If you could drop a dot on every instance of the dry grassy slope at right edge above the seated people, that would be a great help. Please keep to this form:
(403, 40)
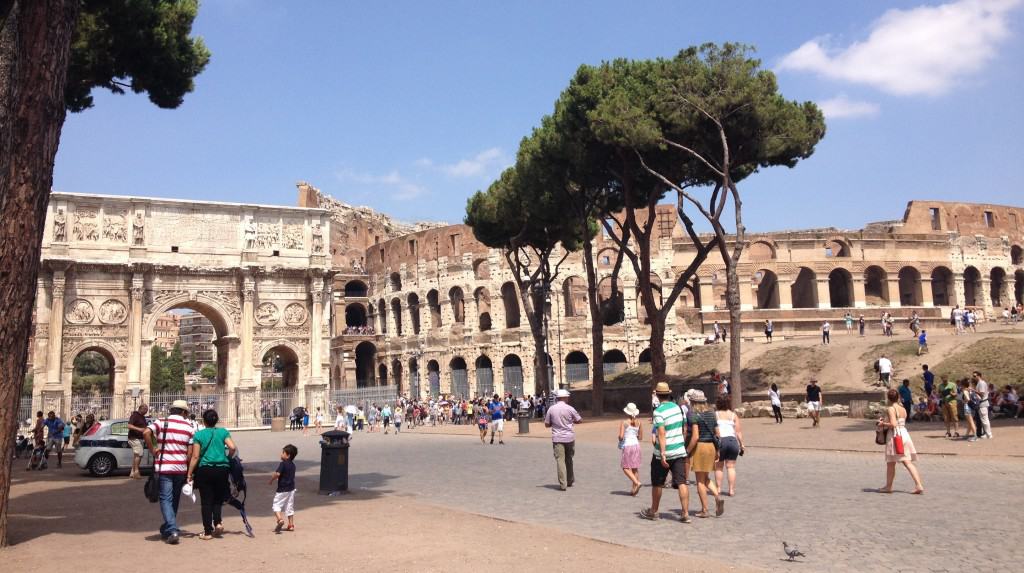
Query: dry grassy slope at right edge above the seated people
(1000, 361)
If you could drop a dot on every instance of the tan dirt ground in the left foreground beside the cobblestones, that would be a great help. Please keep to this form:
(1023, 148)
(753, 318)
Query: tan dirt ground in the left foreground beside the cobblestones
(62, 514)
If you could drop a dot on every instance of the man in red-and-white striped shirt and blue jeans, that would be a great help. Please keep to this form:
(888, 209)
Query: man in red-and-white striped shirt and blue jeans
(170, 440)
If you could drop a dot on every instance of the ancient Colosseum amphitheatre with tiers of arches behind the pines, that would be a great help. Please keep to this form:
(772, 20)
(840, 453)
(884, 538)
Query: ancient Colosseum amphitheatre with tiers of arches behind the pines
(433, 311)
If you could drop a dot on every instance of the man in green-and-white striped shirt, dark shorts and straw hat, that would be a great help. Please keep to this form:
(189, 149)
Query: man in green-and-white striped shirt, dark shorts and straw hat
(670, 454)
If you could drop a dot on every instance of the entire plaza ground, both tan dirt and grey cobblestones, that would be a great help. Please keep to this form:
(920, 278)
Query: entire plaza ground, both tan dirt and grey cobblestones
(429, 496)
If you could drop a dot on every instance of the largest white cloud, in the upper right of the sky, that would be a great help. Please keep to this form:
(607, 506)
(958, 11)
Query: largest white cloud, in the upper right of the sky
(923, 51)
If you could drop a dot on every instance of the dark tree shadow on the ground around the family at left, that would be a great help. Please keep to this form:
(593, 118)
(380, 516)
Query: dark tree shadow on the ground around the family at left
(69, 502)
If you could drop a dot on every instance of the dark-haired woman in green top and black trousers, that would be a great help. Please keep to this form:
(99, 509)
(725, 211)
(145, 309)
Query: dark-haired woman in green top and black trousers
(212, 450)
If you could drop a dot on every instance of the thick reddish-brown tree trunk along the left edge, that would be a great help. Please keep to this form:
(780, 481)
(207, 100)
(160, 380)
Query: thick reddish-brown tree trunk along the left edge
(35, 48)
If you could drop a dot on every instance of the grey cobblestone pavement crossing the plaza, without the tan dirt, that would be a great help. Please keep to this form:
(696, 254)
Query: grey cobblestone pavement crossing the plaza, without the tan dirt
(823, 502)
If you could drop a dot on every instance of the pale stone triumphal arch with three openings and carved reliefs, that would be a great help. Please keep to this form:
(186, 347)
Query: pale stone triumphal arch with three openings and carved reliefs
(113, 266)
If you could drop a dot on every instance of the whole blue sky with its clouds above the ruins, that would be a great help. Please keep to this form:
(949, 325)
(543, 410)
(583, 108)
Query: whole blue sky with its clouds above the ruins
(411, 107)
